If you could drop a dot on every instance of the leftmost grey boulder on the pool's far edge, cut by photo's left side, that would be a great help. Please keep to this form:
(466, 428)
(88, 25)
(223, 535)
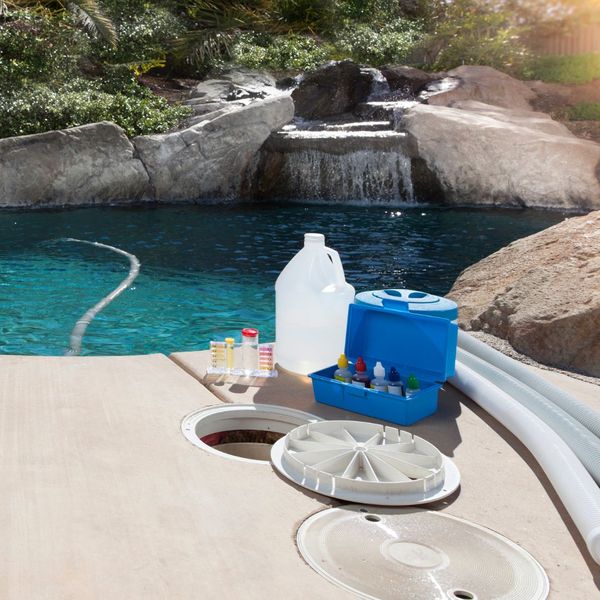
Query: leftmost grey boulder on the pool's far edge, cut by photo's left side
(91, 164)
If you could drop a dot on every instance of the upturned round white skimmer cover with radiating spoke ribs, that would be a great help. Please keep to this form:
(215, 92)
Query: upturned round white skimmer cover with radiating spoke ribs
(365, 462)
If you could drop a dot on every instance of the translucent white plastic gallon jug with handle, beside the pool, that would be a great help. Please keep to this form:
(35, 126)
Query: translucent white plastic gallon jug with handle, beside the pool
(311, 308)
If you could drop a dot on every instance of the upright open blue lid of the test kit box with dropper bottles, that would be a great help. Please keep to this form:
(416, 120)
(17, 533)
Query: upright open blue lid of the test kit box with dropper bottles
(413, 343)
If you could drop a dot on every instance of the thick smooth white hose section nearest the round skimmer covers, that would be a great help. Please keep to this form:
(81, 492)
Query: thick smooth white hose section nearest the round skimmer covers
(573, 484)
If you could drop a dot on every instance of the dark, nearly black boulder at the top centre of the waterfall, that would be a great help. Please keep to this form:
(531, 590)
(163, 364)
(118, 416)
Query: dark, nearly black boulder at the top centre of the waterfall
(331, 90)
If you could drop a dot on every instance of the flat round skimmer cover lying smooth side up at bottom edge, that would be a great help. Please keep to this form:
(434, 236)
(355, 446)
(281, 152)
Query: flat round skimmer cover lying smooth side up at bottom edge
(408, 553)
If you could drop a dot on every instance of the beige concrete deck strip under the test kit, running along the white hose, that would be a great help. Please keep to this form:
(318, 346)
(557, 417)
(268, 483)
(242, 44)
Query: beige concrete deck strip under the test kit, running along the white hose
(502, 487)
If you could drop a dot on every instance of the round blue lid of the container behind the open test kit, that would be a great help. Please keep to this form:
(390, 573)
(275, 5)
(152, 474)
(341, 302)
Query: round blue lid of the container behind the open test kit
(413, 301)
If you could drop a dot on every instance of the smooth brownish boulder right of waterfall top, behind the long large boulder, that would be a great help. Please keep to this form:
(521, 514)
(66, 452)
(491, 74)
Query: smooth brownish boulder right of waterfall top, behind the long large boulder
(483, 84)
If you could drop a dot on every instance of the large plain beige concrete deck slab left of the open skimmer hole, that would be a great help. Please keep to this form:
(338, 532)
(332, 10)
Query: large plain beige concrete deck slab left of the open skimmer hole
(102, 498)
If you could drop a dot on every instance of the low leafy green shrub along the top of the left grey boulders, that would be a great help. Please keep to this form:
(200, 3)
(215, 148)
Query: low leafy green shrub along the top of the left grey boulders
(38, 107)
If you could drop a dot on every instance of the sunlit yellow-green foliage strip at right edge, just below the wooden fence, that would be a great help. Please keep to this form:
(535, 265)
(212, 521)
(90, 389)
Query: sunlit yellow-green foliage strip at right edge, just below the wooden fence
(578, 68)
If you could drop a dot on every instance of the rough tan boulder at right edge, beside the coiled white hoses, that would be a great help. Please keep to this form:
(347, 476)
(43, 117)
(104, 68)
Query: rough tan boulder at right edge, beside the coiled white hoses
(542, 294)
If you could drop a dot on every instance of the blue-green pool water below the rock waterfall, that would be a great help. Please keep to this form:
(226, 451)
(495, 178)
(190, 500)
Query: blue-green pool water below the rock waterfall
(208, 271)
